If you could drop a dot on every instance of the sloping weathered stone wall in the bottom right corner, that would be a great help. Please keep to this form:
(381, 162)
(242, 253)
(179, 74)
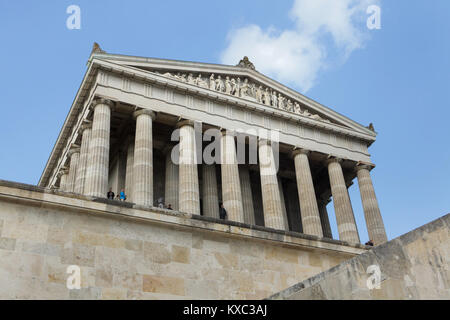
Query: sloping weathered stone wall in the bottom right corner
(413, 266)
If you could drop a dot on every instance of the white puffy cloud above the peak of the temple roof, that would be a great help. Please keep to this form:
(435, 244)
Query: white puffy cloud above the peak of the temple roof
(297, 56)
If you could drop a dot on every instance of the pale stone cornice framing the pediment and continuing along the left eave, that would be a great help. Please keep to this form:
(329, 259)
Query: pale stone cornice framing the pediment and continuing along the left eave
(121, 66)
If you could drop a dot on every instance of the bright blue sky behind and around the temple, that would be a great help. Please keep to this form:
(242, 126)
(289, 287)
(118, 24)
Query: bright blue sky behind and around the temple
(397, 77)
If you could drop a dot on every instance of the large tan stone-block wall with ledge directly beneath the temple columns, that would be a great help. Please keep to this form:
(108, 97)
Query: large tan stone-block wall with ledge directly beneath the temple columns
(131, 252)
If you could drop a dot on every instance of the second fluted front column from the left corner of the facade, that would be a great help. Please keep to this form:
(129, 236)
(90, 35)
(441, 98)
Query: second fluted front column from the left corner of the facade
(143, 158)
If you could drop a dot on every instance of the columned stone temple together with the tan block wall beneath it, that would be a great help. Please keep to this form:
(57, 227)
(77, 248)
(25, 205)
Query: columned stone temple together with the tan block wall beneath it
(189, 135)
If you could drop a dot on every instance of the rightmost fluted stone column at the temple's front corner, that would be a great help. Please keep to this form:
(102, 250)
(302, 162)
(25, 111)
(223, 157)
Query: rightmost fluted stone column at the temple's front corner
(372, 214)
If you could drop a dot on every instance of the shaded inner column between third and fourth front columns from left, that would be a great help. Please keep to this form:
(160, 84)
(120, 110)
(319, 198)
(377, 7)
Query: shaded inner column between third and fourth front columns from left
(210, 195)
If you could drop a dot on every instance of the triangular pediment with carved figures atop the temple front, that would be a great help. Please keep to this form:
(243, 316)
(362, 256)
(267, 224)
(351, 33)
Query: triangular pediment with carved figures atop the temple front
(240, 81)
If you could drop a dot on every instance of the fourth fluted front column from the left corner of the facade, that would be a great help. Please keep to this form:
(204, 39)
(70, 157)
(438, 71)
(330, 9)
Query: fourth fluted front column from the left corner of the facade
(231, 185)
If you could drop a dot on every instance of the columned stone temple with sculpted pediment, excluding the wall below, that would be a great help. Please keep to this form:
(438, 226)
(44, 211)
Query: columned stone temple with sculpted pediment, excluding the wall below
(119, 134)
